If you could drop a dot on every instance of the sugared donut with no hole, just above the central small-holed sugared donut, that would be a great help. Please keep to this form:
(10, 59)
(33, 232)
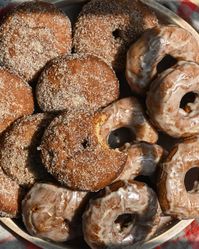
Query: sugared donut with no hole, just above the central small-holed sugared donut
(76, 82)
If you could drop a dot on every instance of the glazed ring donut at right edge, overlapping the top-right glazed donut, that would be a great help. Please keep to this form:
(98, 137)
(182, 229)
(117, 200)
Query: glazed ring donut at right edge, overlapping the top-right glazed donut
(166, 95)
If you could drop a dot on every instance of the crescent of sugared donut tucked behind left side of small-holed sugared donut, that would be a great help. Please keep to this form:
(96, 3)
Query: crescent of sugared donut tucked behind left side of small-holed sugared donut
(19, 156)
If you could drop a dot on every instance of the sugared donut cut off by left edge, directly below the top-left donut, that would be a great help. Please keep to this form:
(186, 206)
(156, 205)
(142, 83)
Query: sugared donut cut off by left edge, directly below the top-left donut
(16, 99)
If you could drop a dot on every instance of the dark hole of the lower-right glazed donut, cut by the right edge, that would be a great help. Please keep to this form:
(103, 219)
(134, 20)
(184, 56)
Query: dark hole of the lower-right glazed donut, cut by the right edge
(191, 180)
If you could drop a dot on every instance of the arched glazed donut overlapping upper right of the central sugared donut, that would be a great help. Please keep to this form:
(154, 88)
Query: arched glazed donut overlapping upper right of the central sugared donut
(126, 112)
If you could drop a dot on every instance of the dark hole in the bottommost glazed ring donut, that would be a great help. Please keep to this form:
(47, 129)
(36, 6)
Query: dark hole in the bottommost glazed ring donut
(123, 221)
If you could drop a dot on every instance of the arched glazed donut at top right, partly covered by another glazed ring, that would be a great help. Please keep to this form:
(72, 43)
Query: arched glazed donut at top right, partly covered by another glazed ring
(154, 45)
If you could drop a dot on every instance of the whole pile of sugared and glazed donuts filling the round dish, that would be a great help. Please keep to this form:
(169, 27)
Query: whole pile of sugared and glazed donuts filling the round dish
(74, 150)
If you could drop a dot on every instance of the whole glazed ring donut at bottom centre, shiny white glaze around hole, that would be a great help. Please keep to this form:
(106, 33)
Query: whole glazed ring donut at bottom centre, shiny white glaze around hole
(126, 214)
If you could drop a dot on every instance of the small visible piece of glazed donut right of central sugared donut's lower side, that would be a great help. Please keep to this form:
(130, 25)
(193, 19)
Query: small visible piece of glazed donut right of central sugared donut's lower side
(142, 160)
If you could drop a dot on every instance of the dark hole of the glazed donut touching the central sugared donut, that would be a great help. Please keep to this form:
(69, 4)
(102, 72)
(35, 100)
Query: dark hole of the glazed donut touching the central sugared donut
(120, 137)
